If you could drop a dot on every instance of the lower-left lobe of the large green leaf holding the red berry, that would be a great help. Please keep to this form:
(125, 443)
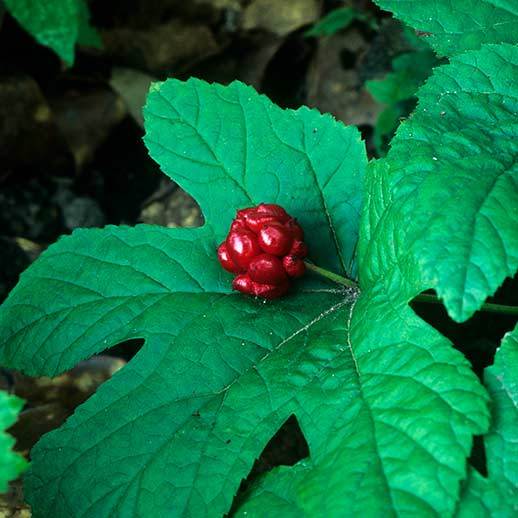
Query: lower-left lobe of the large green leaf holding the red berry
(179, 428)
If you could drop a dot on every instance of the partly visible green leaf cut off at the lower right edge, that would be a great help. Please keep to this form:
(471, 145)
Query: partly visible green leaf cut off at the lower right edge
(497, 495)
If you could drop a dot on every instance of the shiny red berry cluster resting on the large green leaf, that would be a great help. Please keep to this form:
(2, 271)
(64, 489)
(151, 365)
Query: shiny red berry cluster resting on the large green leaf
(265, 247)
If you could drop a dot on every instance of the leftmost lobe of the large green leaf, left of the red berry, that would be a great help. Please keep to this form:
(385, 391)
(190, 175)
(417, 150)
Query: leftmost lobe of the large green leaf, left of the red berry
(99, 282)
